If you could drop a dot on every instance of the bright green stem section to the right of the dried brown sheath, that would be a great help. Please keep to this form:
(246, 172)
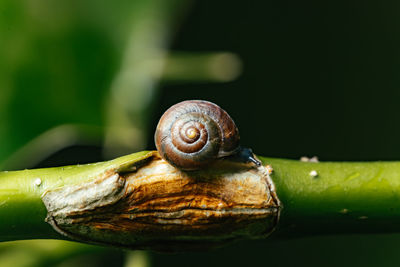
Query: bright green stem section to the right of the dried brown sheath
(345, 197)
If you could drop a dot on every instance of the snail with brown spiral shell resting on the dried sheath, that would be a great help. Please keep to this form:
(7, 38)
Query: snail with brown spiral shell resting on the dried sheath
(193, 134)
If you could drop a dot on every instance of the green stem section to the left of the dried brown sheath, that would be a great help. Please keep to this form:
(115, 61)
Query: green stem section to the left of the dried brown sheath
(22, 212)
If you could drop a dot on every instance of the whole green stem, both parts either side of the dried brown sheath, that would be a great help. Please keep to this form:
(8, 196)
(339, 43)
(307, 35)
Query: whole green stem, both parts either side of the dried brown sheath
(344, 197)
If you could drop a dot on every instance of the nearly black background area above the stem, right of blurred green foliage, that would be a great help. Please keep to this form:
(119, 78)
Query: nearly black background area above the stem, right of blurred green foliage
(319, 77)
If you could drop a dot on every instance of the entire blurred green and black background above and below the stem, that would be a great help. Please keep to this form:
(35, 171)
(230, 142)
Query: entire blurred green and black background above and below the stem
(83, 81)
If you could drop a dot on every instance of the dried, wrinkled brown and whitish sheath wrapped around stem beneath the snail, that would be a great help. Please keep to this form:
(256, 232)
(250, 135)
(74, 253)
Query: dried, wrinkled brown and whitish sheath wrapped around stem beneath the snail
(159, 207)
